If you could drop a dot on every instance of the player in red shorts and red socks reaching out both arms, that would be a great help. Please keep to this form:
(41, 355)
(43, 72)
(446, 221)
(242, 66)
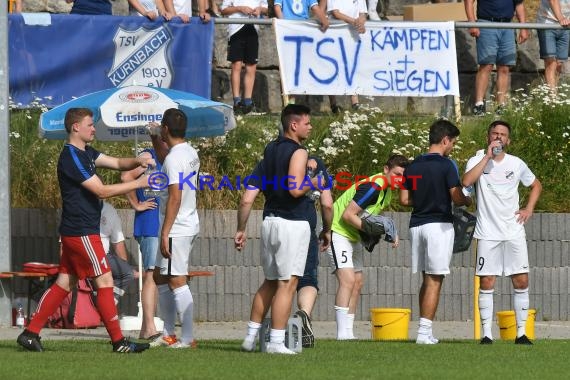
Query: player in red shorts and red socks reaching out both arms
(83, 255)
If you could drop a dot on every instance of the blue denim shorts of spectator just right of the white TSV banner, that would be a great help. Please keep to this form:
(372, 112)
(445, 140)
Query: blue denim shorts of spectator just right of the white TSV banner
(496, 46)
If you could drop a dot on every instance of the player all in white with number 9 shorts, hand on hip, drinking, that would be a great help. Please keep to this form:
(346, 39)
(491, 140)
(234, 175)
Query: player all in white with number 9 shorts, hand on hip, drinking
(500, 224)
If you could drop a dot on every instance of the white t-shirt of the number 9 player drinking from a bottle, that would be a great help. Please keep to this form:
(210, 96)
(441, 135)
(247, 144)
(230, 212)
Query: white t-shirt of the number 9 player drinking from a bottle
(498, 197)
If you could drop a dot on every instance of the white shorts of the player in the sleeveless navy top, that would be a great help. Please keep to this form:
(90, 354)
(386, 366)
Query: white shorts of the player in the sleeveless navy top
(284, 246)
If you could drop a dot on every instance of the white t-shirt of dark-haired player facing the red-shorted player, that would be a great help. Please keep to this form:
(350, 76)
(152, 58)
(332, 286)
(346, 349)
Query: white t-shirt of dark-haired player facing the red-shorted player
(182, 166)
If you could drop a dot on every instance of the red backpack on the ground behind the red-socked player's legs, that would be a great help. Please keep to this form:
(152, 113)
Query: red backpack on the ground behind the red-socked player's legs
(77, 310)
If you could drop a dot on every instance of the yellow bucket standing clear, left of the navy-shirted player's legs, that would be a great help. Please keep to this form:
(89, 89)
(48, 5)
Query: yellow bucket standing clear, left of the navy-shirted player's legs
(390, 324)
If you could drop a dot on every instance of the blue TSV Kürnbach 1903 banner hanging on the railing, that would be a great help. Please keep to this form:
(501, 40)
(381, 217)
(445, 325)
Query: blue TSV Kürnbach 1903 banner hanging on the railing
(75, 55)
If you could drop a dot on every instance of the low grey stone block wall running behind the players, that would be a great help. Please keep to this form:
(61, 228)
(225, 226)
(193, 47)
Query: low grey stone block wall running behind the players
(389, 282)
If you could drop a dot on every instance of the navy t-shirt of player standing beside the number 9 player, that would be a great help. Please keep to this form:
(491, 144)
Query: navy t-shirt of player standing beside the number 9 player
(429, 179)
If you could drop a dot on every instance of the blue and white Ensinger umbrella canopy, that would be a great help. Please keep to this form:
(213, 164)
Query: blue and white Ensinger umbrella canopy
(121, 113)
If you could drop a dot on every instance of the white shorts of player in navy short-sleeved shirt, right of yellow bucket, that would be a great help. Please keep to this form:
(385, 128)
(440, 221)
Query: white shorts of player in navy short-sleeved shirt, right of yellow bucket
(432, 247)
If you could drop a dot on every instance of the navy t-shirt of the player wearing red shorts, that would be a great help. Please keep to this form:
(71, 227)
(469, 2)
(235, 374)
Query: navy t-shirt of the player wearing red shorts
(81, 210)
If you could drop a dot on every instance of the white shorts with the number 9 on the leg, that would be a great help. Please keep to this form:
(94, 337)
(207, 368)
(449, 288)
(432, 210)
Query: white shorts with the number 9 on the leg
(504, 256)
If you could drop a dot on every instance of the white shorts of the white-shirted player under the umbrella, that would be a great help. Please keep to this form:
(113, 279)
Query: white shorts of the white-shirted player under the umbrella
(177, 265)
